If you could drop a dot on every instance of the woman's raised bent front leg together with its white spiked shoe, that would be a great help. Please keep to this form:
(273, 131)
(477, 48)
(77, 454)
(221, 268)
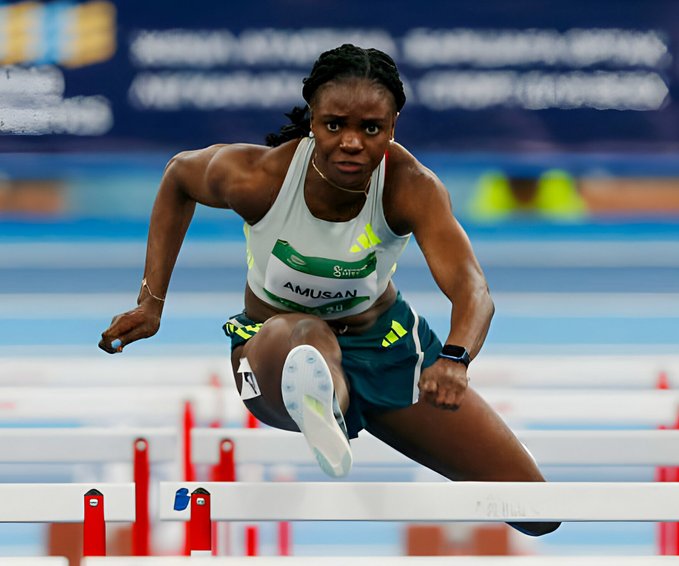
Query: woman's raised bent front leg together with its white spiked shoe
(297, 363)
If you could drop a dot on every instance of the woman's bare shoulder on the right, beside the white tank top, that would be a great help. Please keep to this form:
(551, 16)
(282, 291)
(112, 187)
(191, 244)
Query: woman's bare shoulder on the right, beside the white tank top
(412, 191)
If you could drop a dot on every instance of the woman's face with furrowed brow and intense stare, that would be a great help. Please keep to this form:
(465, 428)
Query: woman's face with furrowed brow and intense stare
(352, 120)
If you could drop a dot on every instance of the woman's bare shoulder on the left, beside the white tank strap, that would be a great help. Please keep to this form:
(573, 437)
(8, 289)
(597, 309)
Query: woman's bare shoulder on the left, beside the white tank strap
(243, 177)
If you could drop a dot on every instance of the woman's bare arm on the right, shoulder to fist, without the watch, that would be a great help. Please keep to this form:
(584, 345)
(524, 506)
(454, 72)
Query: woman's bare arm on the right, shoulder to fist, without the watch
(425, 209)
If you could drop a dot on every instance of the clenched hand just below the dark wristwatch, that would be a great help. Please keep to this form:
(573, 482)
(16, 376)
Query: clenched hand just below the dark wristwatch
(444, 384)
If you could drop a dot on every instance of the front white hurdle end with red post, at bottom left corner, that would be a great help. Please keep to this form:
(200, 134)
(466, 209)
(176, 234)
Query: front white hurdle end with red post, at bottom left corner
(91, 504)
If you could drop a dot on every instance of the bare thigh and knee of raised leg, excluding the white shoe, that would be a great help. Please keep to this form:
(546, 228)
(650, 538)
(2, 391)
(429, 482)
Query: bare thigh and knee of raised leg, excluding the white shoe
(266, 352)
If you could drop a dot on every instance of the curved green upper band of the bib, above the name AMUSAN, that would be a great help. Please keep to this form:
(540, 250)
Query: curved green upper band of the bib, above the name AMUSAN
(323, 267)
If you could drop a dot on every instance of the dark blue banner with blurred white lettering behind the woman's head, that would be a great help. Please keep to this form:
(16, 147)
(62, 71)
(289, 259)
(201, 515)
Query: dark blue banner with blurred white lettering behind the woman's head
(98, 75)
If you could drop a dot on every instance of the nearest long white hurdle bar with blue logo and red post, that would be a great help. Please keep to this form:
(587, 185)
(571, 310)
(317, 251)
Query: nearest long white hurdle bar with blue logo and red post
(201, 504)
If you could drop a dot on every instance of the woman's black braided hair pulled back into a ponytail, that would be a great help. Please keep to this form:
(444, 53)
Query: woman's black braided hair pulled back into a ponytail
(342, 62)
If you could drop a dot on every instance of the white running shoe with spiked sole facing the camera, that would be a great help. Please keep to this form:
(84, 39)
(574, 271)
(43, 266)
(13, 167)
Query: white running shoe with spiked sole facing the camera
(309, 398)
